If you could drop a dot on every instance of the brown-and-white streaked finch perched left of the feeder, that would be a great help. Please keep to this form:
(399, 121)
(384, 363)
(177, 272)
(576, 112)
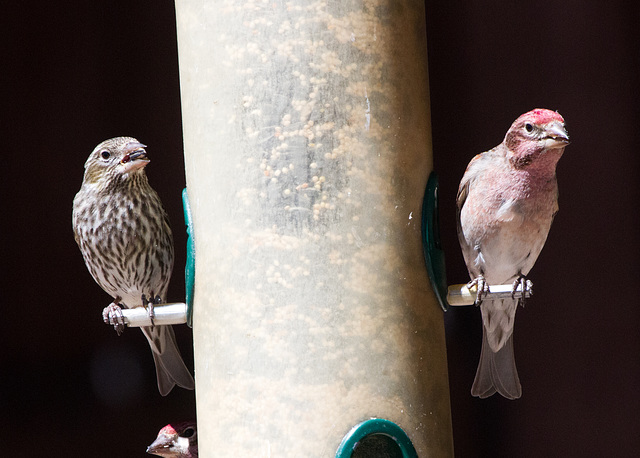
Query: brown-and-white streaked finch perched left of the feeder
(124, 235)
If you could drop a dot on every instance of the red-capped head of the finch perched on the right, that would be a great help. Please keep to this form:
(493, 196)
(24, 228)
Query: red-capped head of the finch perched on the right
(538, 136)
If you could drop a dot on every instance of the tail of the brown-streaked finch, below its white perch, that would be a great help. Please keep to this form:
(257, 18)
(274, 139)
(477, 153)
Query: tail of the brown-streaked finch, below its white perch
(170, 368)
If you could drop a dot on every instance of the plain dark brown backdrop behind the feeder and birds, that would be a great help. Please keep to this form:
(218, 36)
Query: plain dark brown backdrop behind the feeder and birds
(75, 75)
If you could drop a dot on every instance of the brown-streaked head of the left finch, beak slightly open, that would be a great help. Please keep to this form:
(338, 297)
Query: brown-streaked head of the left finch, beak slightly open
(115, 159)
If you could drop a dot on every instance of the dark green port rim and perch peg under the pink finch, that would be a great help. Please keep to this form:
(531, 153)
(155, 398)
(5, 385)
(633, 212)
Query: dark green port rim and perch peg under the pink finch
(459, 294)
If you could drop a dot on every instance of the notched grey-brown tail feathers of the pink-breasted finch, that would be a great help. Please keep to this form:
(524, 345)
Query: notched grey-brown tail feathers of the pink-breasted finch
(497, 371)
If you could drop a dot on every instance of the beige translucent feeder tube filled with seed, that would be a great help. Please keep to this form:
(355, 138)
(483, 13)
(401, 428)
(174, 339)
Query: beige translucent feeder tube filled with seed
(307, 148)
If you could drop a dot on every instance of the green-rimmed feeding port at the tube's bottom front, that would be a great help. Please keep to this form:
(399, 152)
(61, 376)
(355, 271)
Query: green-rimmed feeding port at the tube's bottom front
(376, 437)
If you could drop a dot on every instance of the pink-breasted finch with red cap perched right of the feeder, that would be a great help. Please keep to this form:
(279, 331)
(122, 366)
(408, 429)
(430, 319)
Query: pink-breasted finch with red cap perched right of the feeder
(506, 202)
